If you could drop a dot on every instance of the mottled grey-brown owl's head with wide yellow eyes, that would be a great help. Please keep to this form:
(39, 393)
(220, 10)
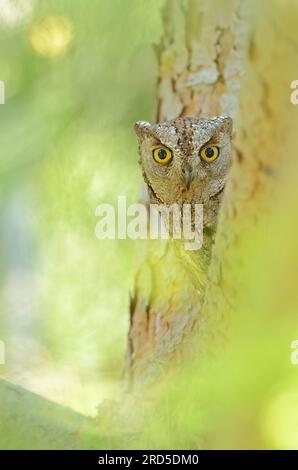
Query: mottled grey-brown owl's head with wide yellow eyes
(185, 159)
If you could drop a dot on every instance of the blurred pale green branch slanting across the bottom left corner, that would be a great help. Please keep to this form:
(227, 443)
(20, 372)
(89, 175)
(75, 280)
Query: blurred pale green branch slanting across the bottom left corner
(30, 421)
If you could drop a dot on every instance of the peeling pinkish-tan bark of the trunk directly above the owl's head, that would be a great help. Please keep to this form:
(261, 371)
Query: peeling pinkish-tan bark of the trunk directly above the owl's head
(200, 58)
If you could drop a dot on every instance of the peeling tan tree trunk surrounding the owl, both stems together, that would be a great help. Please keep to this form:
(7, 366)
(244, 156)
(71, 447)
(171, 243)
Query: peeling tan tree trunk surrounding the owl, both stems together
(211, 50)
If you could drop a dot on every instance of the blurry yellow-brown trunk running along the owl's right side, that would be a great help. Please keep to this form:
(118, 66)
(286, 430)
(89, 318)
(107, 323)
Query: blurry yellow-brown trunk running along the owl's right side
(265, 126)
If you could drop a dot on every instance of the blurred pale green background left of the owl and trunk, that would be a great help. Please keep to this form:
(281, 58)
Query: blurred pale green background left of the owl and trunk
(73, 92)
